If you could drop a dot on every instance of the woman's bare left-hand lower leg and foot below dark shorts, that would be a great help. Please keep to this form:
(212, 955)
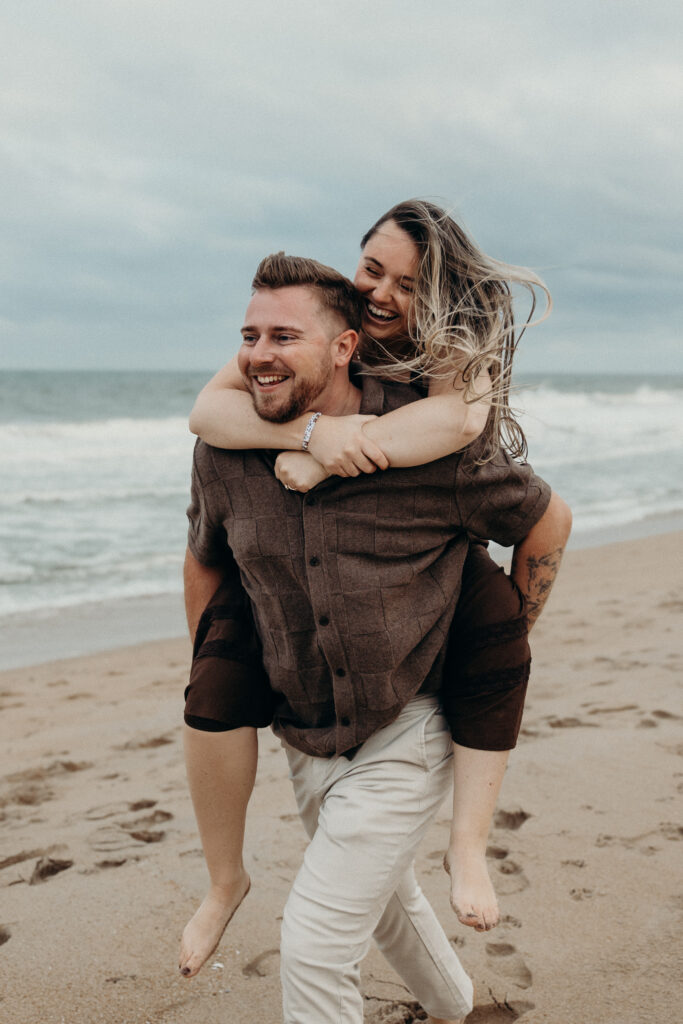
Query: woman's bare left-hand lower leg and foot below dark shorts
(222, 769)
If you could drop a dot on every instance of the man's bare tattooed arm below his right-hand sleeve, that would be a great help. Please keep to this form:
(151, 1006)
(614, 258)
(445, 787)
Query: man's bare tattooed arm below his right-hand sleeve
(536, 561)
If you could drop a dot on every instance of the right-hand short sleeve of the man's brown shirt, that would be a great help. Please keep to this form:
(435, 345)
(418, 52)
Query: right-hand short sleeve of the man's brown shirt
(501, 500)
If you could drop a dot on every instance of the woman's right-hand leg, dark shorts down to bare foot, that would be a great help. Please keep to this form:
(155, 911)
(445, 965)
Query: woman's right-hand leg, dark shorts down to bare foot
(485, 686)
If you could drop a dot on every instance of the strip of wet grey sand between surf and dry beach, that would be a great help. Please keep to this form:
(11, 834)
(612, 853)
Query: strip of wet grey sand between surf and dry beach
(42, 635)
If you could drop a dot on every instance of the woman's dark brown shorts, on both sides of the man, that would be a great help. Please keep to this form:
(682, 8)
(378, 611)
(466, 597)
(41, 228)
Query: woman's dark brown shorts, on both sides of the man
(485, 678)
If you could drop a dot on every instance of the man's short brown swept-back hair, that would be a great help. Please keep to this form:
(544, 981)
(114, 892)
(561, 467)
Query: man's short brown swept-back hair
(335, 292)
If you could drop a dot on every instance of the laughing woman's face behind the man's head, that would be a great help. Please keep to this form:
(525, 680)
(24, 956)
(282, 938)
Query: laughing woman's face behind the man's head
(386, 278)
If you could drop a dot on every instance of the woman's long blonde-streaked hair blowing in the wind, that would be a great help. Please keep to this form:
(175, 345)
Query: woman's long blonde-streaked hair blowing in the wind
(461, 318)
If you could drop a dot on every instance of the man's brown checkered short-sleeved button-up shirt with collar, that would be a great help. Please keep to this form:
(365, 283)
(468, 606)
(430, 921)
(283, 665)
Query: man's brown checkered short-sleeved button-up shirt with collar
(354, 585)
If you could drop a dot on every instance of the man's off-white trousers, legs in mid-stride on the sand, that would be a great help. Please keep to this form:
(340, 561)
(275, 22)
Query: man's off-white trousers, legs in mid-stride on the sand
(366, 819)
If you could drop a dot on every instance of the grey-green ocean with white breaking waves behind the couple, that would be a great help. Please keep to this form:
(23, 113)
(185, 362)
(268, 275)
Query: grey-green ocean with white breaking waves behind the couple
(96, 471)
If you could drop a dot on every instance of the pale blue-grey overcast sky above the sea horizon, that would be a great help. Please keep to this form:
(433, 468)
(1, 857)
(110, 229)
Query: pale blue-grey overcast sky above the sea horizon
(153, 152)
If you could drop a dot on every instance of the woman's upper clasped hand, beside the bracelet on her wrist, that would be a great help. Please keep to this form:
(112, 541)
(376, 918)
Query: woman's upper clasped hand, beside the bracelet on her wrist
(343, 449)
